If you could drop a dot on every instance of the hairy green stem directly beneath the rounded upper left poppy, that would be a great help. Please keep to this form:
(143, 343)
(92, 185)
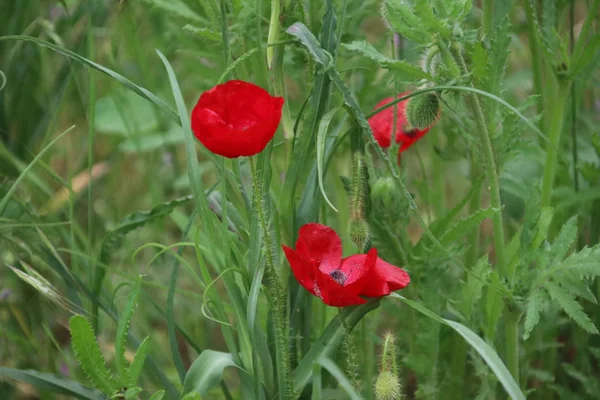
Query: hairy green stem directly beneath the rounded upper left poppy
(276, 292)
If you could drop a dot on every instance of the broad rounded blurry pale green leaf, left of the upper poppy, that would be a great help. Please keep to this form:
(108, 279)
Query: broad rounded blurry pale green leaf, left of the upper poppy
(124, 113)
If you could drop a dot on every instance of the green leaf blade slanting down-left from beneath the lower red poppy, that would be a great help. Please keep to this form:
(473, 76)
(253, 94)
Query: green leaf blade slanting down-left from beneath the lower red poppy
(329, 342)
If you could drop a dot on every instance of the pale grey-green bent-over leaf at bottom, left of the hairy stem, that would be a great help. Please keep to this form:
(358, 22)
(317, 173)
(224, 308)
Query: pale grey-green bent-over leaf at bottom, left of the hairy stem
(206, 372)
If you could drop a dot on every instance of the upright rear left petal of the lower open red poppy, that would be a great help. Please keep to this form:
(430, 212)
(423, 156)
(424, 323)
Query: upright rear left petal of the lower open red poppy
(322, 244)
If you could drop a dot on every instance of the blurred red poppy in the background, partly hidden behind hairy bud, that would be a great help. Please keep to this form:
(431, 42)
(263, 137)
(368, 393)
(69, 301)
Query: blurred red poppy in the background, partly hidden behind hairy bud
(383, 122)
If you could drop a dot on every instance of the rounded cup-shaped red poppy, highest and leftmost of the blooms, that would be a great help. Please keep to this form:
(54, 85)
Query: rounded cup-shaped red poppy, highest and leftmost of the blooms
(236, 118)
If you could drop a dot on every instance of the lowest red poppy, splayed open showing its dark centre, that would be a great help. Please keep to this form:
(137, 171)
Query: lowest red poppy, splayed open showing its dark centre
(318, 265)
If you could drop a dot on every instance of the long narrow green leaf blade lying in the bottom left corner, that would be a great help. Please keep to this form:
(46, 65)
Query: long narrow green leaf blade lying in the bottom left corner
(51, 383)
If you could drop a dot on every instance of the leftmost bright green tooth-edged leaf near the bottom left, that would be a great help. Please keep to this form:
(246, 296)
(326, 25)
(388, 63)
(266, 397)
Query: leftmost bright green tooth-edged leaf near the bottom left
(89, 356)
